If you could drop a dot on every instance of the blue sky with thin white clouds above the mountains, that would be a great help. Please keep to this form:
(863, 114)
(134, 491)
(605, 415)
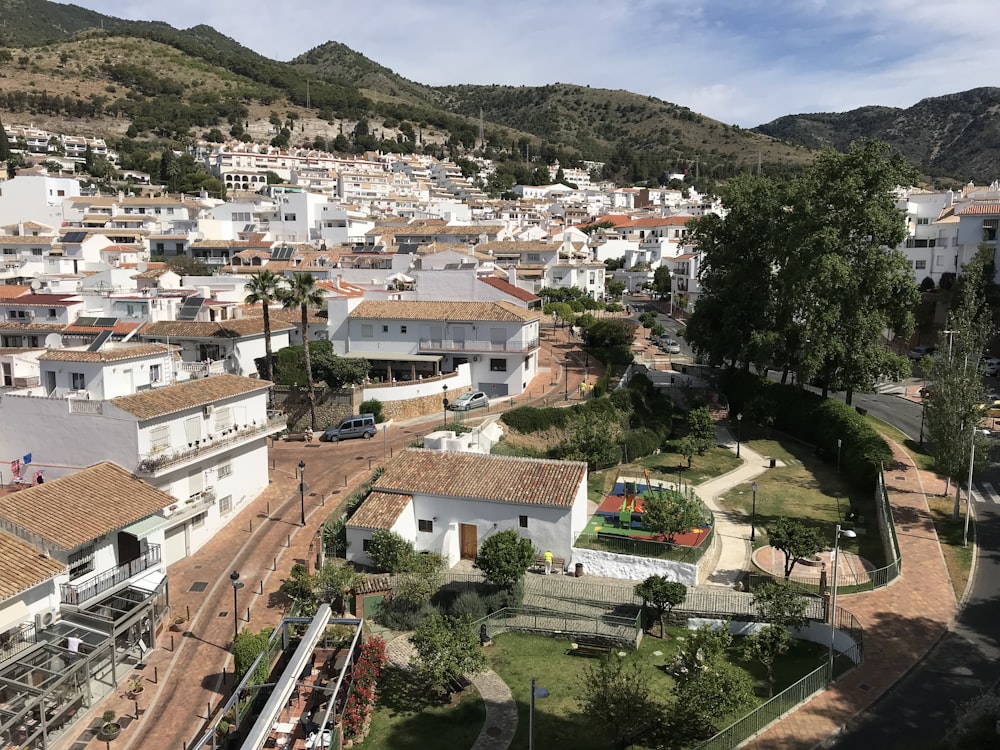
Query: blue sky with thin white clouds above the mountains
(739, 61)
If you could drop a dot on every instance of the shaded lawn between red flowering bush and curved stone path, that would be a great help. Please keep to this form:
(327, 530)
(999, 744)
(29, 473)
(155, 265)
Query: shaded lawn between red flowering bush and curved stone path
(406, 717)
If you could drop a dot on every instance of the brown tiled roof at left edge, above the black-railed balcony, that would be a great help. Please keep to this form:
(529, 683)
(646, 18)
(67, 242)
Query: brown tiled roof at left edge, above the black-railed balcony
(73, 510)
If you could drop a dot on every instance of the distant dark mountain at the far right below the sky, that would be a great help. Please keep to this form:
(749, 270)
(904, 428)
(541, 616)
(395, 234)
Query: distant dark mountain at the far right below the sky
(956, 135)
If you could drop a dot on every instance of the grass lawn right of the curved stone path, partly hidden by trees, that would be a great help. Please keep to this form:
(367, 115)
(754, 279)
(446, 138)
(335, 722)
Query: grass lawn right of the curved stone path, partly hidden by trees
(559, 719)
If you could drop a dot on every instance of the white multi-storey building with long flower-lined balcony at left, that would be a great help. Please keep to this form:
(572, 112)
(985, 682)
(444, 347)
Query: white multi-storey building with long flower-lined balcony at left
(202, 441)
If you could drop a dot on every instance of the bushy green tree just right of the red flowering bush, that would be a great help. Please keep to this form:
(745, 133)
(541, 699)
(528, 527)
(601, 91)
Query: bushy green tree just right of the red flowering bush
(446, 648)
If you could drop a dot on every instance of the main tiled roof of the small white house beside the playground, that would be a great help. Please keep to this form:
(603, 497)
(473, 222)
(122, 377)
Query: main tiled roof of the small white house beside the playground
(526, 481)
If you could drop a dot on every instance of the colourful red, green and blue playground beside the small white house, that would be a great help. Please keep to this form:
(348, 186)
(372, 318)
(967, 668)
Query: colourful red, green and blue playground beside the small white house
(620, 514)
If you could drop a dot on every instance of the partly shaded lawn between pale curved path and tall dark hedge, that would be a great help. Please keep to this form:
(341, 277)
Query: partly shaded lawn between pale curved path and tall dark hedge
(809, 490)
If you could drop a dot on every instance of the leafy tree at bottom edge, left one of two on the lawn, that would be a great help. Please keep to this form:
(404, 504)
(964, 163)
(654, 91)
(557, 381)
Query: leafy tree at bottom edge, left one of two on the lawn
(620, 693)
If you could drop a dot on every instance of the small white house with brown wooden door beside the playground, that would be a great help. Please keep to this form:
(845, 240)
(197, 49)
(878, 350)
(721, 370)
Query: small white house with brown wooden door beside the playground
(451, 502)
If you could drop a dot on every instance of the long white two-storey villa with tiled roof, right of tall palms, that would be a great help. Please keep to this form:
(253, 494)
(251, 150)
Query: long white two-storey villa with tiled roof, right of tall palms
(498, 341)
